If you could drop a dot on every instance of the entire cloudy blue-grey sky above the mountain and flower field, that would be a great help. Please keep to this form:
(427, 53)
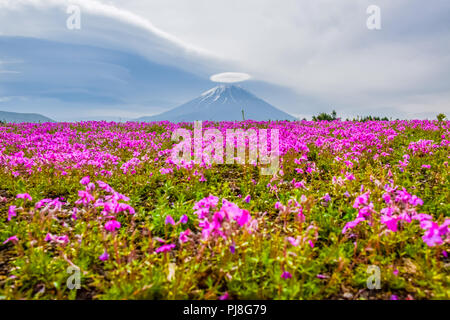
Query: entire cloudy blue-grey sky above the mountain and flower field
(134, 58)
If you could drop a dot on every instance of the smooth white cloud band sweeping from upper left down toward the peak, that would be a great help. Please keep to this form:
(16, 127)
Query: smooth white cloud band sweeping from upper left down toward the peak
(103, 25)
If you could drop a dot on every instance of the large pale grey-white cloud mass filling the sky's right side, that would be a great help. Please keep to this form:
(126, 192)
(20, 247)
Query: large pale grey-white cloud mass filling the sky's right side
(321, 48)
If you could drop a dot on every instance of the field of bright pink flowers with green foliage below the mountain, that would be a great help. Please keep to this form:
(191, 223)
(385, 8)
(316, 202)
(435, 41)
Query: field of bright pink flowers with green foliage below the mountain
(105, 199)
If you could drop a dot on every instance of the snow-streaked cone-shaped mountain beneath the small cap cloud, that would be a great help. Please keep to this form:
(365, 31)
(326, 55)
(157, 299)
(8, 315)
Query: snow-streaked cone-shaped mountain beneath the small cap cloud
(223, 103)
